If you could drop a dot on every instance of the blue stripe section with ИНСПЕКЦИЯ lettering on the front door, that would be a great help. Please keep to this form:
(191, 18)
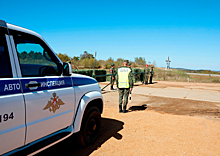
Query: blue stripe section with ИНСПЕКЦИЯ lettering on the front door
(47, 83)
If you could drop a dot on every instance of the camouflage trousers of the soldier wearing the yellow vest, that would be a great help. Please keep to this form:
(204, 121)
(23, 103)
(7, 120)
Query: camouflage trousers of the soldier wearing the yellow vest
(123, 93)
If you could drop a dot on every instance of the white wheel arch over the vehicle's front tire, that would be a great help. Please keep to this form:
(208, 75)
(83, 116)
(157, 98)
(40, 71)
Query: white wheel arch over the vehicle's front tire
(90, 99)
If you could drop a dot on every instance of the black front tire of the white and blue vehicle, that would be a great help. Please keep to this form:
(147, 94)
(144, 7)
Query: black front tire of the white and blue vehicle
(90, 126)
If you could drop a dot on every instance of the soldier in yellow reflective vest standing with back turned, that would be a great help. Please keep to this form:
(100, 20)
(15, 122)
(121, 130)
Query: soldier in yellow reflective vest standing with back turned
(124, 84)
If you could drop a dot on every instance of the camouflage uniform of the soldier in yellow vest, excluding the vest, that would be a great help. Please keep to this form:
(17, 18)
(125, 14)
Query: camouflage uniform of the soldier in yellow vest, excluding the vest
(124, 92)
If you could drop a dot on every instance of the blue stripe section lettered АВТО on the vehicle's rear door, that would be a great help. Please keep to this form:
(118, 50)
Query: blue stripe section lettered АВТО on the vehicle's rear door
(9, 87)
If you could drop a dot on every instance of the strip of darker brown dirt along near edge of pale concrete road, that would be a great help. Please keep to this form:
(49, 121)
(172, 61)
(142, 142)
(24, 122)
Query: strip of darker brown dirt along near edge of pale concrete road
(184, 107)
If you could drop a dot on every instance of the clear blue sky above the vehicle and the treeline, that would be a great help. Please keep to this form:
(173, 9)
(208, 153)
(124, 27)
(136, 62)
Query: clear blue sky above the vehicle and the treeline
(186, 30)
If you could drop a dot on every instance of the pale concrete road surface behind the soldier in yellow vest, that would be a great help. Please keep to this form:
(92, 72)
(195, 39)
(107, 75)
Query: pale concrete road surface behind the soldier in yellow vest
(182, 90)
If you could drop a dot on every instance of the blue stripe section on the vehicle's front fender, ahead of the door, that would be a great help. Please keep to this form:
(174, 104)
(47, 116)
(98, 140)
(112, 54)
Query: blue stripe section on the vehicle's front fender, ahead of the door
(79, 81)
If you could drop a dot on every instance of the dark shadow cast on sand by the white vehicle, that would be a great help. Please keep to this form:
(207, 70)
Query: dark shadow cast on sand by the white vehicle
(109, 128)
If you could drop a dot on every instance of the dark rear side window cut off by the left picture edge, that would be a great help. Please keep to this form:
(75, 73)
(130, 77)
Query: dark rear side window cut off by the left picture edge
(5, 65)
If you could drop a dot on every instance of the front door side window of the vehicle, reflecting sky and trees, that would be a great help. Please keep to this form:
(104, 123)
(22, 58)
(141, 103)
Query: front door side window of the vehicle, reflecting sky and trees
(36, 59)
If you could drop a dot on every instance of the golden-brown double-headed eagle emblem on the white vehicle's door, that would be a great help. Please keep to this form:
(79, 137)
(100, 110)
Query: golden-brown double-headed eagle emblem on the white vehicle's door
(54, 103)
